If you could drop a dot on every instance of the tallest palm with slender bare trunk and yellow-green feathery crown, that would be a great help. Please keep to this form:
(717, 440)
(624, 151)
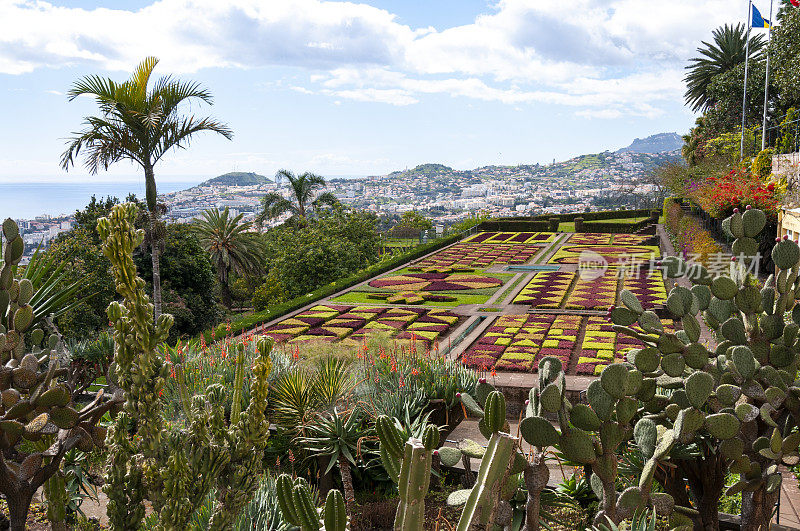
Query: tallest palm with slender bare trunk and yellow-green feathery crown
(139, 123)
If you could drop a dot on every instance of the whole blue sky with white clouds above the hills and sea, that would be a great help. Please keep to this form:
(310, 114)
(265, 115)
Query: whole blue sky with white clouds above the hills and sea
(363, 87)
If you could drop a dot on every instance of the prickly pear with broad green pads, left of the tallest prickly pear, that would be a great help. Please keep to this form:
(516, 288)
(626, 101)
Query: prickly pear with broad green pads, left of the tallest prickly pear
(593, 434)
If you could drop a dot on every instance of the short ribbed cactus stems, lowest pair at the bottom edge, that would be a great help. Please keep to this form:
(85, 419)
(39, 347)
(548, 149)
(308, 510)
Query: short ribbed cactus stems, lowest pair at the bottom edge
(297, 506)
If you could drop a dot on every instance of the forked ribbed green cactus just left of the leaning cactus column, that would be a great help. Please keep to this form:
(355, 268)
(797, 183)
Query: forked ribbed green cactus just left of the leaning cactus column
(409, 466)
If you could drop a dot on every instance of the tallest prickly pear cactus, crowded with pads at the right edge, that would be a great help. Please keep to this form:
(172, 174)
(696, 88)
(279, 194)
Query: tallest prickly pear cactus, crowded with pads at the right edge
(743, 398)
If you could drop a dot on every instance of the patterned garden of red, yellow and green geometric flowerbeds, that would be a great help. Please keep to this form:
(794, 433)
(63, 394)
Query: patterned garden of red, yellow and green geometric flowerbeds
(548, 303)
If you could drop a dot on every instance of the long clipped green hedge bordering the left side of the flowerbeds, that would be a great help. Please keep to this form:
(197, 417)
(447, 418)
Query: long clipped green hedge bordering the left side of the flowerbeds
(273, 312)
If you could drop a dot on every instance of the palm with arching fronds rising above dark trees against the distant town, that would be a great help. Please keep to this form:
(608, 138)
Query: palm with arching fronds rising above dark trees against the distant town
(303, 189)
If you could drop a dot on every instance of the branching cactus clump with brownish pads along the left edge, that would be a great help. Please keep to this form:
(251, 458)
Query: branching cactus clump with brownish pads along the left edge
(36, 401)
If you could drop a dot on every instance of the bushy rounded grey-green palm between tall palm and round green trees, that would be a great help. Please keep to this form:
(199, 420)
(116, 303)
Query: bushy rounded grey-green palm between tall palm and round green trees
(231, 246)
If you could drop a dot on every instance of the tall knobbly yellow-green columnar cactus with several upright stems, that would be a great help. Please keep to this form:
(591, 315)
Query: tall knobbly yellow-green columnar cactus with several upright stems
(174, 469)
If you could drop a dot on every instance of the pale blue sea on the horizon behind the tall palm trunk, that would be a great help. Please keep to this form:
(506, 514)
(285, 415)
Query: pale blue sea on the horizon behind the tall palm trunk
(28, 200)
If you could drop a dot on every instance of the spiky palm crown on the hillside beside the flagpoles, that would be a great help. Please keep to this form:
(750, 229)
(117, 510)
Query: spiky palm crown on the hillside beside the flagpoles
(723, 55)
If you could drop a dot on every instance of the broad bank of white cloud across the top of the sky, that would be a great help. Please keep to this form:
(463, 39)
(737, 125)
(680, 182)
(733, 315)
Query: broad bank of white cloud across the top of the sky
(605, 58)
